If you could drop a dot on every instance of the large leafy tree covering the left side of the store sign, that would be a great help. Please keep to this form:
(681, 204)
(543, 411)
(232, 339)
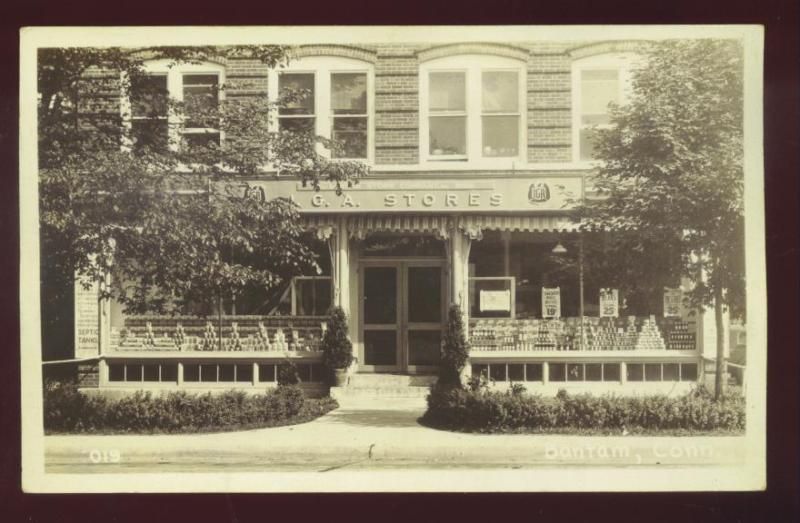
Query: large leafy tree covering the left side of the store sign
(168, 219)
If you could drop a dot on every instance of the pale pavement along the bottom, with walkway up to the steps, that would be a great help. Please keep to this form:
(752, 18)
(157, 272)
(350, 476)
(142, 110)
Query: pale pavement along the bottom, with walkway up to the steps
(361, 434)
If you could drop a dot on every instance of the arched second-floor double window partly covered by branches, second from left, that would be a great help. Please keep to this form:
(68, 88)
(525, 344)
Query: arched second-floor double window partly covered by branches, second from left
(331, 99)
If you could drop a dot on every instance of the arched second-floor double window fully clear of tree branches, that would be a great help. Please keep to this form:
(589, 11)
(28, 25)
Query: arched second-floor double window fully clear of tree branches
(473, 109)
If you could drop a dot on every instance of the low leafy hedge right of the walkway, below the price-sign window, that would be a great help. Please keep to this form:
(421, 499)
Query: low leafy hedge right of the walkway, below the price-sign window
(484, 410)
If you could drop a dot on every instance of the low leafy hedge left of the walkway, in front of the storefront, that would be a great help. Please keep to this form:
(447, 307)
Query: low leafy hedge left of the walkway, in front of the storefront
(67, 410)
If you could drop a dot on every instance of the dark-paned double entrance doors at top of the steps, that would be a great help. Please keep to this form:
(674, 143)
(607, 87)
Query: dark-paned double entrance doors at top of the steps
(402, 311)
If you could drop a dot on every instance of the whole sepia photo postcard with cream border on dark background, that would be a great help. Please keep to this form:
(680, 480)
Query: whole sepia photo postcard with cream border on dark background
(392, 259)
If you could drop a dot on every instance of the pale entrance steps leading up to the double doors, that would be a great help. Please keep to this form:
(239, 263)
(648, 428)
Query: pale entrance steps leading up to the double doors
(365, 386)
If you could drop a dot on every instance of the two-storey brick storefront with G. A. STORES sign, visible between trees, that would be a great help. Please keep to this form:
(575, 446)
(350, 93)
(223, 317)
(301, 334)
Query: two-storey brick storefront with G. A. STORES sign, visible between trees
(478, 154)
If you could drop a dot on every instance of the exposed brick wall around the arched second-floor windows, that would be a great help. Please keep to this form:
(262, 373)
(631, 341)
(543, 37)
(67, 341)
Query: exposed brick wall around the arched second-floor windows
(396, 66)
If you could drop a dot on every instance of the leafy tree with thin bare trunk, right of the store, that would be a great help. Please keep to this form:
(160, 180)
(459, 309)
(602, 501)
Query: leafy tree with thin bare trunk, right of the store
(670, 174)
